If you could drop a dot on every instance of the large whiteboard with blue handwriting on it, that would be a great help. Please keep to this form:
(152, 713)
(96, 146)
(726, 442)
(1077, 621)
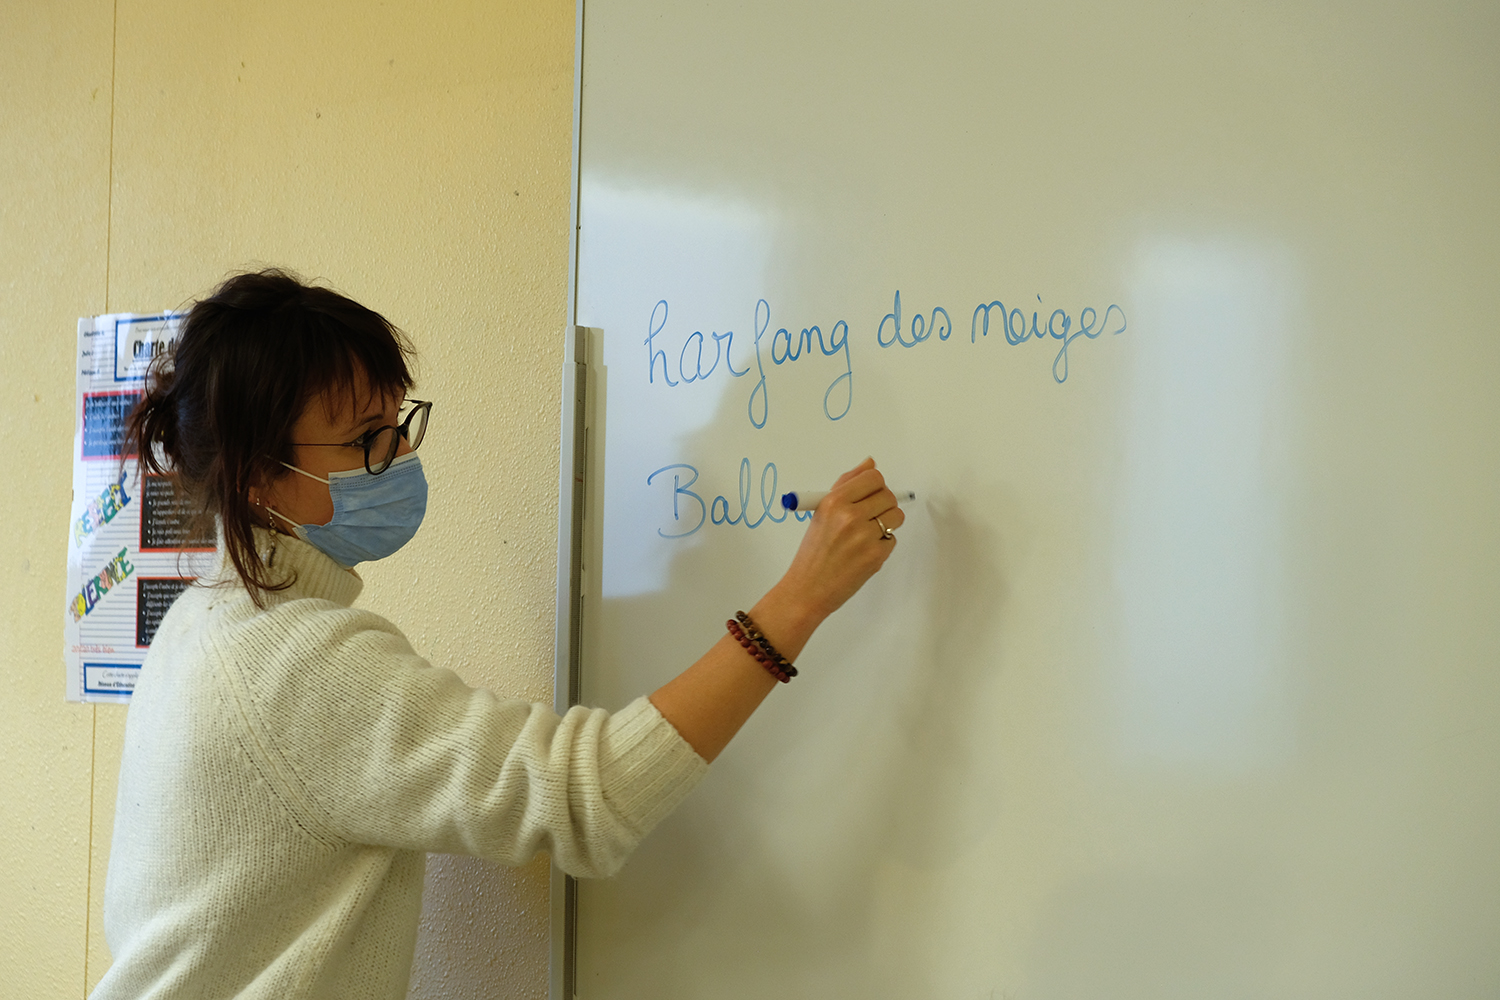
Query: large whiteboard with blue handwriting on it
(1181, 320)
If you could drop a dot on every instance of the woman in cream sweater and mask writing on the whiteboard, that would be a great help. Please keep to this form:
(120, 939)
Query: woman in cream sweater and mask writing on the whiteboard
(290, 759)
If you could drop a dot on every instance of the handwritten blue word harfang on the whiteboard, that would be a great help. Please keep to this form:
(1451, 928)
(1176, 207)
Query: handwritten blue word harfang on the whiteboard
(785, 349)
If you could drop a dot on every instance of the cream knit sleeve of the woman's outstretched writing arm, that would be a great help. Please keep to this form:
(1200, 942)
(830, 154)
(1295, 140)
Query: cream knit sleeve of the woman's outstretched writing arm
(368, 743)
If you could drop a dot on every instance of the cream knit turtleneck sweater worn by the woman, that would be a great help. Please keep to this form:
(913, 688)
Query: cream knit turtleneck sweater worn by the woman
(286, 771)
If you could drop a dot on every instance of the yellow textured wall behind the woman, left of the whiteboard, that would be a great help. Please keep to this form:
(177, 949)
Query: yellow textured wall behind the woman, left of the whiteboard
(415, 157)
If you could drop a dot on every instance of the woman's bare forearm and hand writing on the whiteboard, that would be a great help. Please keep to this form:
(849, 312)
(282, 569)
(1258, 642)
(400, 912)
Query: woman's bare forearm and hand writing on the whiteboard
(842, 549)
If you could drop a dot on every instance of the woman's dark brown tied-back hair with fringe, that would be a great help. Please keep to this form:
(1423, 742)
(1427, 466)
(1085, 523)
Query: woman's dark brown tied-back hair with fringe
(218, 412)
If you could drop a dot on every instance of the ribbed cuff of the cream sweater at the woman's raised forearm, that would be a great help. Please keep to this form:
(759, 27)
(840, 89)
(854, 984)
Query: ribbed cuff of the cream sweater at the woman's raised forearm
(646, 765)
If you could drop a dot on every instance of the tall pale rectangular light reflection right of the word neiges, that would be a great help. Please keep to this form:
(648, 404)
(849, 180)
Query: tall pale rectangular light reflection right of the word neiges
(1201, 542)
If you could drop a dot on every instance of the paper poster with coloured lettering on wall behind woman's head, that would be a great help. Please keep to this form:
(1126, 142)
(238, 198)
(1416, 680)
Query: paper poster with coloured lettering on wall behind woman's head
(131, 548)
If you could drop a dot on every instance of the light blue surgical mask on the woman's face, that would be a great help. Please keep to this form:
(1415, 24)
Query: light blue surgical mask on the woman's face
(373, 515)
